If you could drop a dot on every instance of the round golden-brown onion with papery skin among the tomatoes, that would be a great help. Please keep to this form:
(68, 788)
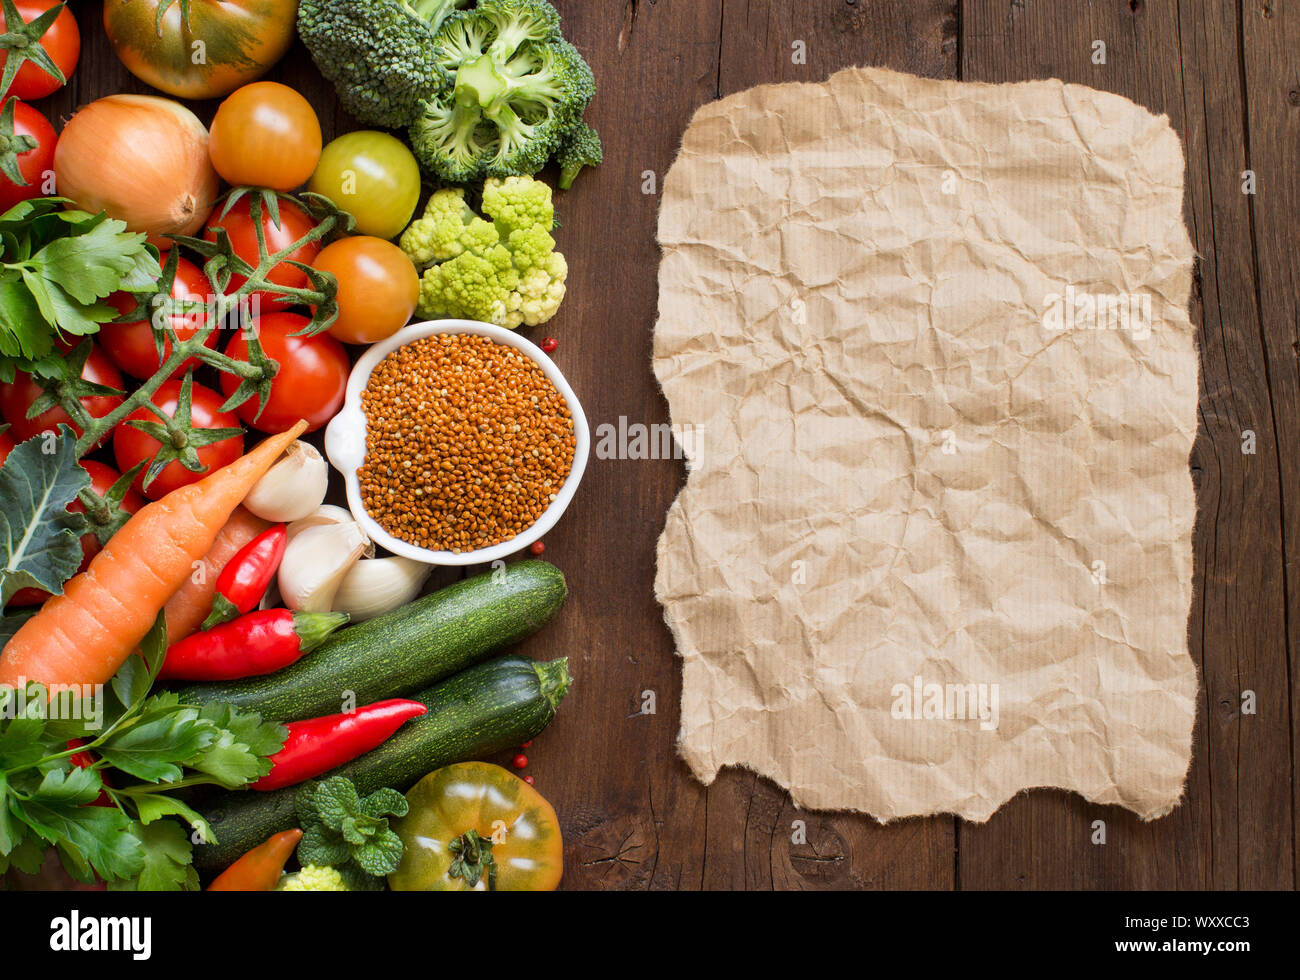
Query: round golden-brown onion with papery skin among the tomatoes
(141, 159)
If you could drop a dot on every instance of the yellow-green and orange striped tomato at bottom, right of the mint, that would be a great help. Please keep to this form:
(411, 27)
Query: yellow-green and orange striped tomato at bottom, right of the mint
(483, 817)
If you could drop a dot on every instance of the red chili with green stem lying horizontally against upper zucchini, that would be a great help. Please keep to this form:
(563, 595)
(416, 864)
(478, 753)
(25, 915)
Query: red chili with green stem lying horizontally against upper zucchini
(261, 643)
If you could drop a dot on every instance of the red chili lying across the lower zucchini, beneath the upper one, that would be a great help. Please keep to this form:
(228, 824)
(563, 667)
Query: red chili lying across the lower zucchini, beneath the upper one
(320, 744)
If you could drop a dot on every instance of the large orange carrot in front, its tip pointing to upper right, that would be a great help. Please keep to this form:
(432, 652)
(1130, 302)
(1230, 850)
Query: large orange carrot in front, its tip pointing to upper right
(85, 635)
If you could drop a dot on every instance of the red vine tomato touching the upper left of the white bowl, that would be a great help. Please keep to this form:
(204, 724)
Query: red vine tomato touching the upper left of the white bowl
(310, 384)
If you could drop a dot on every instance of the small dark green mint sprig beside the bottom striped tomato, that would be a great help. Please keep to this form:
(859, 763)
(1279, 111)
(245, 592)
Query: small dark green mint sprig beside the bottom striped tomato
(349, 834)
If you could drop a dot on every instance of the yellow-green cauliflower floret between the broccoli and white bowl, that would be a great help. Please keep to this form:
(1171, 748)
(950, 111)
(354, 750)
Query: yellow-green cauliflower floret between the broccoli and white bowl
(505, 271)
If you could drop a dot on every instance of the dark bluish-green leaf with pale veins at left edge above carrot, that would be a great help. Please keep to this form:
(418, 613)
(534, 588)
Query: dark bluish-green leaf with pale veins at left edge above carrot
(40, 540)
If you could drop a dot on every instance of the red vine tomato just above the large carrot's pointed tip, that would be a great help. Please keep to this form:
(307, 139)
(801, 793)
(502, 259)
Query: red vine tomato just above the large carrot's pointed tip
(131, 445)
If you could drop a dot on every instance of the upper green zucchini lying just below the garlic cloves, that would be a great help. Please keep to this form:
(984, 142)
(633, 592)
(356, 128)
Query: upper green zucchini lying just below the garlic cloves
(404, 651)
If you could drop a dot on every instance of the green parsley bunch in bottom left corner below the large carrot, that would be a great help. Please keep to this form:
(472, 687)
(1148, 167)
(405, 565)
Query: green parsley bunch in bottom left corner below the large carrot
(155, 743)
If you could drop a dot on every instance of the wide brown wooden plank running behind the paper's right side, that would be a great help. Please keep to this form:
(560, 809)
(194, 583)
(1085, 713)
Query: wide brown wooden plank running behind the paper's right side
(1182, 60)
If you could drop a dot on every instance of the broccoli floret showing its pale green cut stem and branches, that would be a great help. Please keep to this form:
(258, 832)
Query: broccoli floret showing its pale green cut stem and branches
(518, 89)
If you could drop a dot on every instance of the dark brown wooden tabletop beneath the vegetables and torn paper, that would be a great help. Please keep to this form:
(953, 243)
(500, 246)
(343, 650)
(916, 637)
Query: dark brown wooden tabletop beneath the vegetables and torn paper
(1229, 77)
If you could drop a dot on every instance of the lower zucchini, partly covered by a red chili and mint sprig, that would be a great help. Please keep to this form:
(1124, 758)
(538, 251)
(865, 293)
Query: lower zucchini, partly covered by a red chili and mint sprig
(484, 710)
